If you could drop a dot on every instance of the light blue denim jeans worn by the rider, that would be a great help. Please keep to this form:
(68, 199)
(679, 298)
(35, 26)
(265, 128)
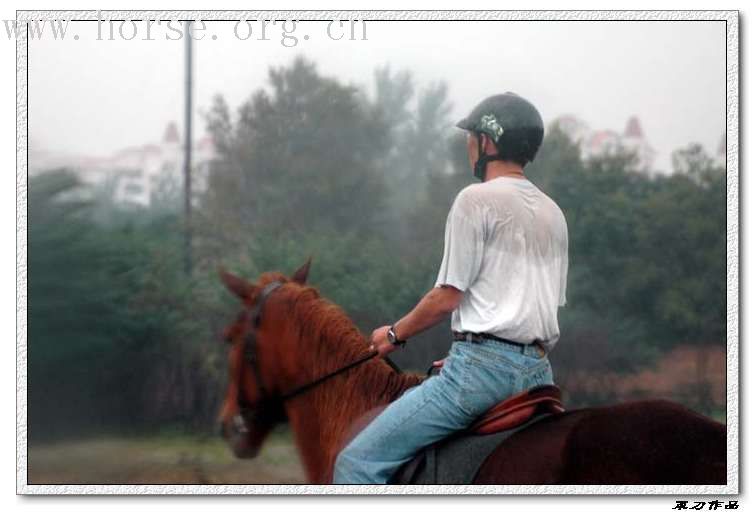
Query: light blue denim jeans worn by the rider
(474, 377)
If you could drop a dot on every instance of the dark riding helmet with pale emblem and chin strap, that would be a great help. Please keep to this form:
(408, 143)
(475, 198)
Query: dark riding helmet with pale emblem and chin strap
(513, 124)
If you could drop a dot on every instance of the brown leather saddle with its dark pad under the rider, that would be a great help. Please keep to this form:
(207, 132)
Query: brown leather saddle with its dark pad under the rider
(457, 459)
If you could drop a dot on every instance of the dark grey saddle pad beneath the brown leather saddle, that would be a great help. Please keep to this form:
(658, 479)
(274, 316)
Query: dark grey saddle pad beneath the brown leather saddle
(455, 460)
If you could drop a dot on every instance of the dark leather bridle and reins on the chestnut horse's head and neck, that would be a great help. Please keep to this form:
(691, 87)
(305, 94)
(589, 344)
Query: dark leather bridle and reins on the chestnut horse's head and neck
(270, 406)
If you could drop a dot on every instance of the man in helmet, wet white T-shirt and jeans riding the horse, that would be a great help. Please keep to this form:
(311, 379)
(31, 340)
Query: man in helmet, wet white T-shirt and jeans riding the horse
(503, 277)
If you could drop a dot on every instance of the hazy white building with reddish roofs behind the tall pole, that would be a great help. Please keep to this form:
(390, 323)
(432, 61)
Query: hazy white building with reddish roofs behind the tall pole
(145, 175)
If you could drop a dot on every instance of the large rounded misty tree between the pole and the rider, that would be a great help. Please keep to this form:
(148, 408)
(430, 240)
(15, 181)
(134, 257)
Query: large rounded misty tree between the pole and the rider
(301, 157)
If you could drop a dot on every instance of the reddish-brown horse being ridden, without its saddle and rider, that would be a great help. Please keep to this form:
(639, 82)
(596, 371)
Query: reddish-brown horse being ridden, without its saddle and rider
(300, 337)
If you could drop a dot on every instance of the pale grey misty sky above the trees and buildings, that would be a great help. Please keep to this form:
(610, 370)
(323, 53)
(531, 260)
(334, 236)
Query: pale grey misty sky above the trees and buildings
(95, 97)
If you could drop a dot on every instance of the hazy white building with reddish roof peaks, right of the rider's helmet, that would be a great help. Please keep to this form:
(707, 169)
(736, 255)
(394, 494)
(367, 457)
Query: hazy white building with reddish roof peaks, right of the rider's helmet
(599, 142)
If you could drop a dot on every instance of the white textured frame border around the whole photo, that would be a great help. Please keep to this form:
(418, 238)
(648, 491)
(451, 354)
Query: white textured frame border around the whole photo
(731, 18)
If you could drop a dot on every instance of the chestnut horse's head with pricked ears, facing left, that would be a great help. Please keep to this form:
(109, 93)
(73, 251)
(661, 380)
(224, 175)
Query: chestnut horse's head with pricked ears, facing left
(251, 407)
